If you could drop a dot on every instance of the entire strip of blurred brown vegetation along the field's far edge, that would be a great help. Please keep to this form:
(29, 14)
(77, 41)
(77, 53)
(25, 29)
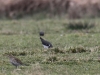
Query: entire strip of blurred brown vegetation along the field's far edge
(70, 8)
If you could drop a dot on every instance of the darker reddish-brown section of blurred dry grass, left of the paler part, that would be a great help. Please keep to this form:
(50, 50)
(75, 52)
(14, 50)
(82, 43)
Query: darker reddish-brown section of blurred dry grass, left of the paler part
(12, 8)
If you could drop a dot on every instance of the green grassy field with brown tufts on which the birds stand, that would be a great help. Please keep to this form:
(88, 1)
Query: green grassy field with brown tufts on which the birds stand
(75, 51)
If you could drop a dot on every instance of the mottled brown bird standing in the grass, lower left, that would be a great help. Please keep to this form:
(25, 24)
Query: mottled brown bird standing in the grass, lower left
(14, 61)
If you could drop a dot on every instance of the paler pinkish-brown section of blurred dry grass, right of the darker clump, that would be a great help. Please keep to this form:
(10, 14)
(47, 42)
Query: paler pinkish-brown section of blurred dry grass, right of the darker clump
(86, 8)
